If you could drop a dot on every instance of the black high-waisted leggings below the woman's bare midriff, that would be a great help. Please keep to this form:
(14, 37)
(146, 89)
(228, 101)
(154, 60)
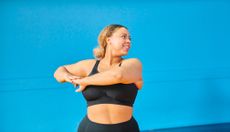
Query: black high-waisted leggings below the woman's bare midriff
(87, 125)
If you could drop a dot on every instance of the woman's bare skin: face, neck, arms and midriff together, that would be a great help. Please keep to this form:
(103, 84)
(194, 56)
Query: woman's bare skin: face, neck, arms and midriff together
(109, 73)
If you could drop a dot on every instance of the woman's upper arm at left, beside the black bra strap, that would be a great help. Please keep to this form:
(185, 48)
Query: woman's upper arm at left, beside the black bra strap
(79, 68)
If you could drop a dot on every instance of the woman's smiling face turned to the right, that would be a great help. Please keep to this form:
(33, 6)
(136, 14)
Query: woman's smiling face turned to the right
(119, 42)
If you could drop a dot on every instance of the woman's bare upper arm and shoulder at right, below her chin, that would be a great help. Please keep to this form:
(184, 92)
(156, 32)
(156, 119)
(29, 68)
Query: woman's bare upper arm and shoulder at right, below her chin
(131, 71)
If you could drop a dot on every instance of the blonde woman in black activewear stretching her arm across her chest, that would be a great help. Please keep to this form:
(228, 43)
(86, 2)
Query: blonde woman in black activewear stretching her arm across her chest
(109, 83)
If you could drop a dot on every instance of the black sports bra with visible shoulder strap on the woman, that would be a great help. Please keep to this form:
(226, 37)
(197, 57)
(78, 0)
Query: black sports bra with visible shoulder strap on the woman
(123, 94)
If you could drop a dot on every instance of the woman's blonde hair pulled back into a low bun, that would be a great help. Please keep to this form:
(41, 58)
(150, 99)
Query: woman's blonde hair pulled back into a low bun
(99, 51)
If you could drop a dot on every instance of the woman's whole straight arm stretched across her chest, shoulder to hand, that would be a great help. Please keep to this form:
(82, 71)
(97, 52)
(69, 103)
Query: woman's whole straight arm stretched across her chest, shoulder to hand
(129, 72)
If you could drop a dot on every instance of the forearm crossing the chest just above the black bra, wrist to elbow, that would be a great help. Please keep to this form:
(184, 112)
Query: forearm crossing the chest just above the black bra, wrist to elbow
(103, 78)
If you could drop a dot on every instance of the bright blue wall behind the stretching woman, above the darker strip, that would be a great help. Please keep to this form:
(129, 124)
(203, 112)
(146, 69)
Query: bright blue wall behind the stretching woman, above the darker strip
(184, 47)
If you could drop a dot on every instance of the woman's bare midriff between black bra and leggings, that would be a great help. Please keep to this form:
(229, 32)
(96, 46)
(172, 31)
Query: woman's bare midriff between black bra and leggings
(109, 113)
